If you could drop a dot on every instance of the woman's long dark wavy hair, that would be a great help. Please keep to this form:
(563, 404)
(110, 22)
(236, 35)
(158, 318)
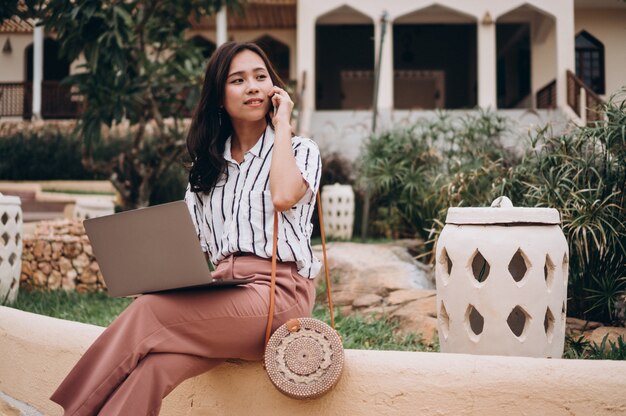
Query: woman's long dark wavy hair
(211, 126)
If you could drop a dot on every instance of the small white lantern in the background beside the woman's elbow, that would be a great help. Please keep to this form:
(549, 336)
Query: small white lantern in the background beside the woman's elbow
(338, 207)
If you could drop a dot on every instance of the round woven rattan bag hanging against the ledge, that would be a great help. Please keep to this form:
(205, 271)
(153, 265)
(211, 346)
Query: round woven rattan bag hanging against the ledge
(304, 358)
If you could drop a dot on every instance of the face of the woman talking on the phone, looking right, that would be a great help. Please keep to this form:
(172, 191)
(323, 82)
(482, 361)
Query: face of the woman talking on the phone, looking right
(247, 87)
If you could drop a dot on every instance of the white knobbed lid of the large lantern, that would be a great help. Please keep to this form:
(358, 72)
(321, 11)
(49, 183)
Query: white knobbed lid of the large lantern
(502, 211)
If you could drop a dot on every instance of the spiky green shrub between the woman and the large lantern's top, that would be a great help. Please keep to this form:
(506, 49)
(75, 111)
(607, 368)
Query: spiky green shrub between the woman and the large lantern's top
(414, 174)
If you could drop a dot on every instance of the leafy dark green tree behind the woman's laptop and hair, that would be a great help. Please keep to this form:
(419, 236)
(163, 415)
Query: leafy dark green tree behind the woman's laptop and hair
(138, 69)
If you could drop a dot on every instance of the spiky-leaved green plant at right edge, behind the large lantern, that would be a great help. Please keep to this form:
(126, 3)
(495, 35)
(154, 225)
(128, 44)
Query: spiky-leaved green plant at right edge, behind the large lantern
(583, 175)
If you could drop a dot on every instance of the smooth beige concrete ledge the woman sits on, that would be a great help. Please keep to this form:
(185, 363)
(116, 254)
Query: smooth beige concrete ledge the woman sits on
(38, 351)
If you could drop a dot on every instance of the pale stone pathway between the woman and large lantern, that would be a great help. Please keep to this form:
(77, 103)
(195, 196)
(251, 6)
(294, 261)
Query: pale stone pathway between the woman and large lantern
(376, 280)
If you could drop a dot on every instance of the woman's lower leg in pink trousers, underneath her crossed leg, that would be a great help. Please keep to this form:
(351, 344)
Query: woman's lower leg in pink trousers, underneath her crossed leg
(154, 378)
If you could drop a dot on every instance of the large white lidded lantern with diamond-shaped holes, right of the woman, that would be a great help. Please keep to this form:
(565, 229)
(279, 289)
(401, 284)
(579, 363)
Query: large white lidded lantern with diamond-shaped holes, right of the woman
(502, 281)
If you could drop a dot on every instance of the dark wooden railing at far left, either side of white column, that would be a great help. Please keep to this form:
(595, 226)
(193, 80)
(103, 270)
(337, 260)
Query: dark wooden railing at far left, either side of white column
(56, 100)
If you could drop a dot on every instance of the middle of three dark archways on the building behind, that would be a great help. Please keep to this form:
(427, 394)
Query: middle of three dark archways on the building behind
(434, 58)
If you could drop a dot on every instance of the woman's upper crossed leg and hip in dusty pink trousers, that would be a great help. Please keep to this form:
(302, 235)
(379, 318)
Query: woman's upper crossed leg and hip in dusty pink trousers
(219, 324)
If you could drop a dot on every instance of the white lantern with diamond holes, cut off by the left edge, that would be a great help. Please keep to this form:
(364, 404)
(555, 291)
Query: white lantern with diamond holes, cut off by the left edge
(10, 248)
